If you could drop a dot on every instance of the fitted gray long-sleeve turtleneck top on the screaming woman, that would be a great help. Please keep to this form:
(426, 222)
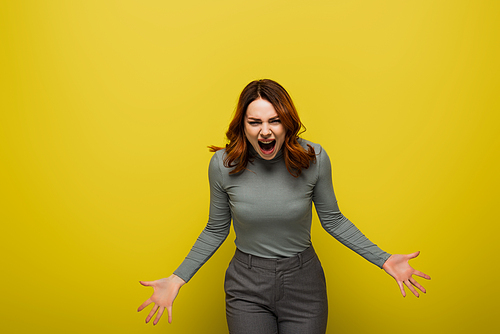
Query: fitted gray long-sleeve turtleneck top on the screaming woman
(272, 211)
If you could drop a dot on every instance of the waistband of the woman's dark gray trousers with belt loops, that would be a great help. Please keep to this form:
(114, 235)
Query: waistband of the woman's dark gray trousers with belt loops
(276, 264)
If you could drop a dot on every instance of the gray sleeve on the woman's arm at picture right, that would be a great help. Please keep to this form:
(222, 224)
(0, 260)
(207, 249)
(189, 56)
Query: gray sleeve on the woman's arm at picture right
(335, 223)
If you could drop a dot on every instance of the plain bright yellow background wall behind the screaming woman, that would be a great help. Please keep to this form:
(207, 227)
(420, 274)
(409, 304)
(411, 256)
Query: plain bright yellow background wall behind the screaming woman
(107, 108)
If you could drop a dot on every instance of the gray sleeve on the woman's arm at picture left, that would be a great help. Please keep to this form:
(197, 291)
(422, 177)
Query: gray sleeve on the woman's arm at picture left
(217, 229)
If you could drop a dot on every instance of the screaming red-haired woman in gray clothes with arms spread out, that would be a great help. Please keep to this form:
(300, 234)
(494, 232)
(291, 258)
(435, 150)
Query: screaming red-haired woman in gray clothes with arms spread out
(265, 180)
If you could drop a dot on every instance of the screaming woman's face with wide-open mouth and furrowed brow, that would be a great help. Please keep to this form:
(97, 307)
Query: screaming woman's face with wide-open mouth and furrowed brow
(263, 128)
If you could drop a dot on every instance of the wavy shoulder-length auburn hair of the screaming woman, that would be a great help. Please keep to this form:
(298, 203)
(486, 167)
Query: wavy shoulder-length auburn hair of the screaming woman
(237, 152)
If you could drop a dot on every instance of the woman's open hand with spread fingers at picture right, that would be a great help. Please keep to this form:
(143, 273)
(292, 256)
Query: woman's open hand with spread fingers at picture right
(398, 267)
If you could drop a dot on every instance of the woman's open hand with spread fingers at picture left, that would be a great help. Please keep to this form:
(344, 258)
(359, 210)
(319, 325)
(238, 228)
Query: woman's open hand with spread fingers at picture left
(165, 291)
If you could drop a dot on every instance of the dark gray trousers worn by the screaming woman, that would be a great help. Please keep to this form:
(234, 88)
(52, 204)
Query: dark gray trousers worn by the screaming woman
(270, 296)
